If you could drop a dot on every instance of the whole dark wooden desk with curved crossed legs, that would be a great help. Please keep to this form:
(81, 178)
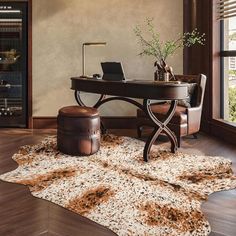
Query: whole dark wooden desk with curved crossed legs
(146, 90)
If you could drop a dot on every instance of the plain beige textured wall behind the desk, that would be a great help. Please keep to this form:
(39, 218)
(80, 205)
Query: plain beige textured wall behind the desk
(61, 26)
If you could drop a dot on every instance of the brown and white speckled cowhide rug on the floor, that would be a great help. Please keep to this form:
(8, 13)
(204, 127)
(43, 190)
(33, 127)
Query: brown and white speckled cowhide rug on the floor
(115, 188)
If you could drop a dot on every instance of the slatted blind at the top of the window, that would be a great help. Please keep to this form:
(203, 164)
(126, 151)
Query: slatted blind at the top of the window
(227, 9)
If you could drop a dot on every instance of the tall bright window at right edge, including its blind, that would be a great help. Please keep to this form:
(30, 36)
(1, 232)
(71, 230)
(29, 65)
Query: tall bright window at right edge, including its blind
(228, 59)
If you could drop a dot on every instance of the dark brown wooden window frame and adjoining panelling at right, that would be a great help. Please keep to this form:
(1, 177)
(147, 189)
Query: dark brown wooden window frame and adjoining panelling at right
(203, 15)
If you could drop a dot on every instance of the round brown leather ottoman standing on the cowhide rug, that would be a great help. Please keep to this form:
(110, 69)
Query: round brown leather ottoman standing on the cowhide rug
(78, 130)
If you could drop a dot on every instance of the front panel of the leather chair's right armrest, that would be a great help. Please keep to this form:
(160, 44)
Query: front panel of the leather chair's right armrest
(194, 119)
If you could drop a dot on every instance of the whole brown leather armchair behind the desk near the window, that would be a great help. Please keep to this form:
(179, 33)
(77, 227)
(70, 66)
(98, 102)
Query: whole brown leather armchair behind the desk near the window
(187, 117)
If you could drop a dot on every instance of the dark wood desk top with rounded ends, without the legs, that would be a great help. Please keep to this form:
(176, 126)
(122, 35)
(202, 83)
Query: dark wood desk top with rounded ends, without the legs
(145, 89)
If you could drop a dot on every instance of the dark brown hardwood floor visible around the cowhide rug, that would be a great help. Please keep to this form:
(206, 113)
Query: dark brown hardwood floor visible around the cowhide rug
(23, 215)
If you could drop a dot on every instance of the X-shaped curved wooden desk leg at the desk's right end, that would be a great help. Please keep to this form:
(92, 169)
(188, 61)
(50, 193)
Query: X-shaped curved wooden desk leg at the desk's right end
(159, 128)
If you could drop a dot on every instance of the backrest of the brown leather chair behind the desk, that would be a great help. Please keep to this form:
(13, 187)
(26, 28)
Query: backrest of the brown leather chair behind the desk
(201, 84)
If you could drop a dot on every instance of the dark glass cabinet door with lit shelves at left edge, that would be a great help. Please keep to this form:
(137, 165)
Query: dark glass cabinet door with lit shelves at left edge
(13, 64)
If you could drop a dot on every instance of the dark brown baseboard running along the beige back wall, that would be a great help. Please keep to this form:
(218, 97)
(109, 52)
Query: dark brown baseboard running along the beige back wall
(110, 122)
